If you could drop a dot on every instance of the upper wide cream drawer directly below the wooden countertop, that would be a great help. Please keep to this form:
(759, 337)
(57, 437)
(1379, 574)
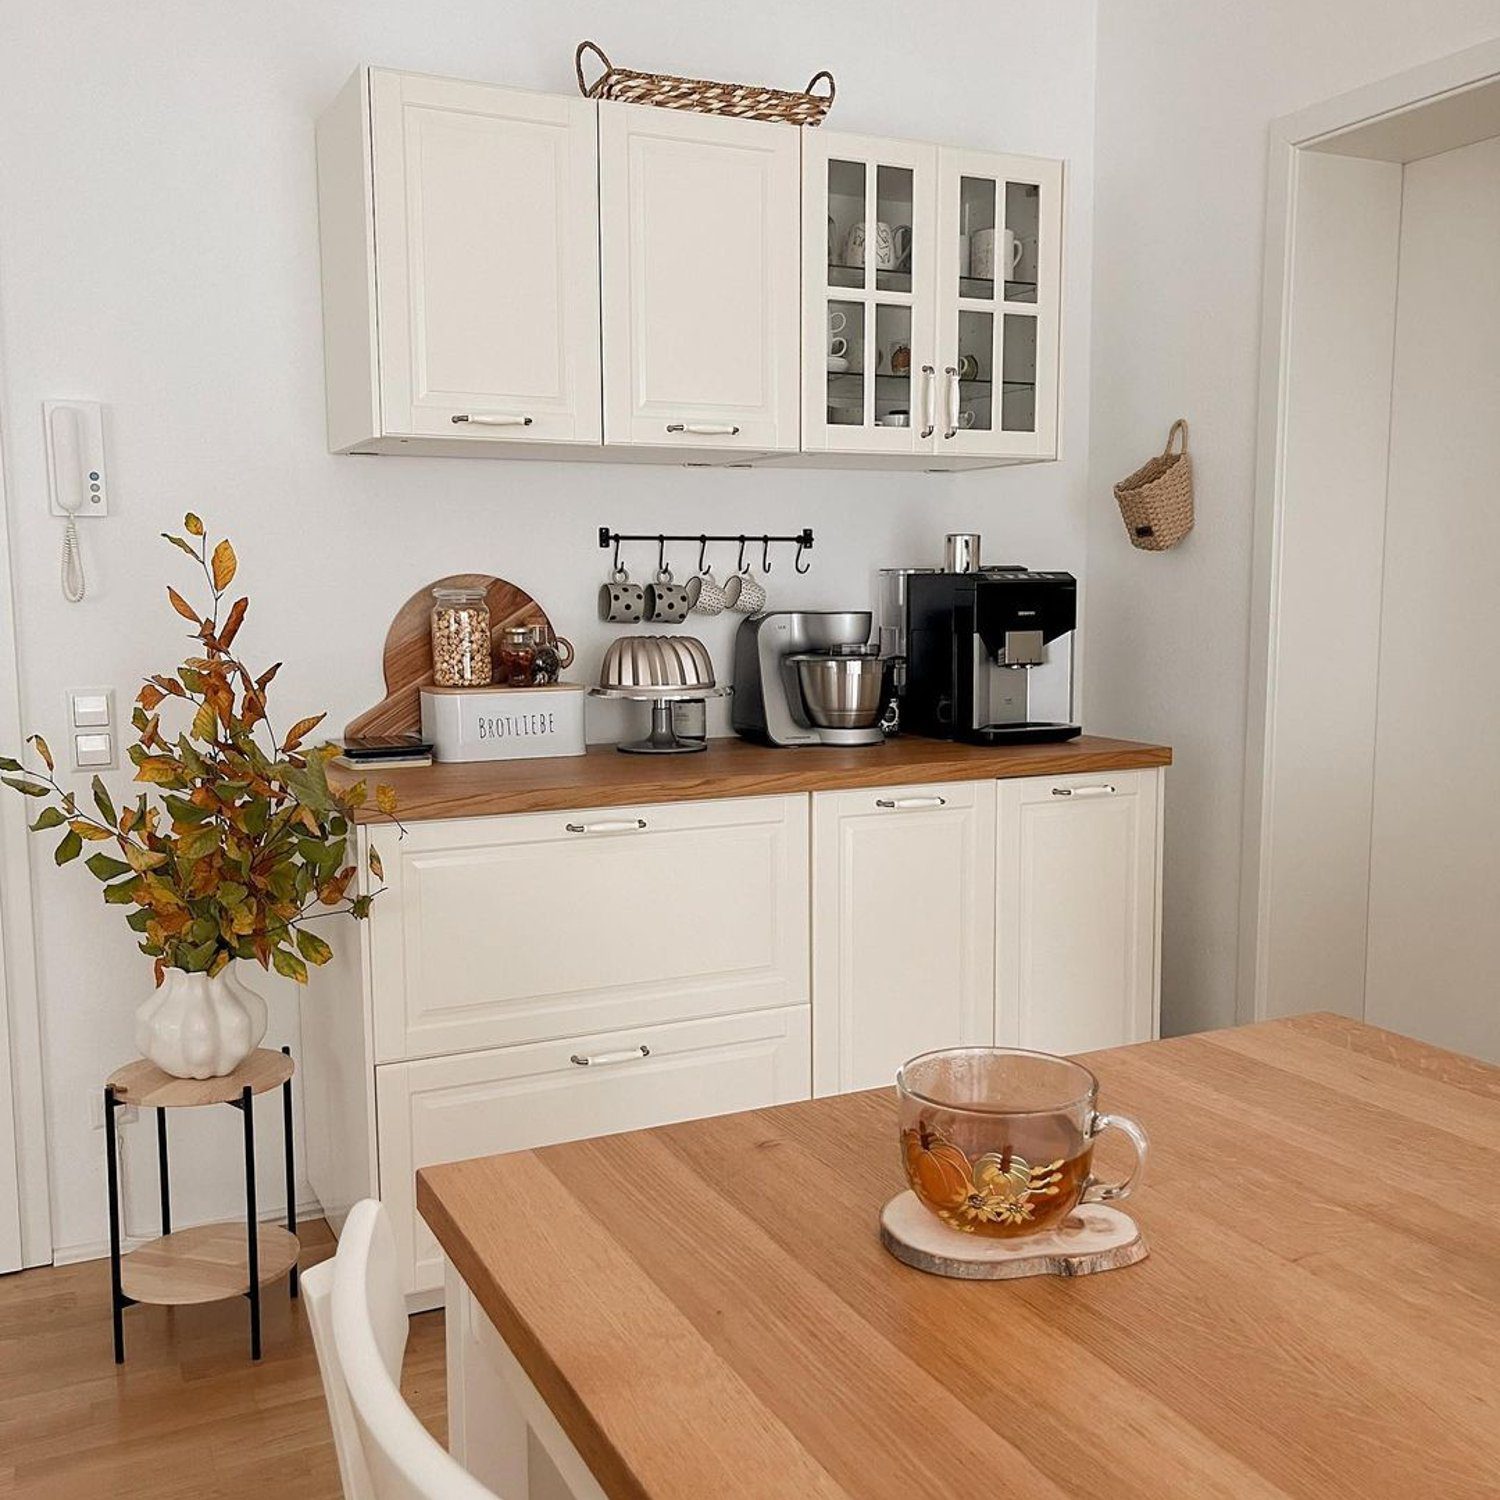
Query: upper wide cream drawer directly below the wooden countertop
(506, 931)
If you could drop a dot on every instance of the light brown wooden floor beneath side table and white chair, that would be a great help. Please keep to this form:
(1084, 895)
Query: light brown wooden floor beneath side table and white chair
(188, 1415)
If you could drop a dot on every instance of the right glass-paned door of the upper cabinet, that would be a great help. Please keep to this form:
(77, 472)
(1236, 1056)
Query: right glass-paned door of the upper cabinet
(1000, 224)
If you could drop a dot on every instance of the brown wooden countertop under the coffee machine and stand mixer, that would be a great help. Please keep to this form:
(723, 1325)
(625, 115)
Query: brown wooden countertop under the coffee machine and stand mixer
(730, 767)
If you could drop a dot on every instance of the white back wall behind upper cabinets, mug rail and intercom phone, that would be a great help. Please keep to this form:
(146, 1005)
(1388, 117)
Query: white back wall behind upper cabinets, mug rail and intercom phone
(158, 253)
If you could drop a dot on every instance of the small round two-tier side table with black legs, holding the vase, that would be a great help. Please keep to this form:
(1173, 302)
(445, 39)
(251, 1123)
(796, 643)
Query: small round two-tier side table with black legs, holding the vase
(211, 1262)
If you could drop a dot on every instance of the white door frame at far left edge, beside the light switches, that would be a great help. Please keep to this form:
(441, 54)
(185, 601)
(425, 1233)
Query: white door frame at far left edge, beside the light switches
(20, 995)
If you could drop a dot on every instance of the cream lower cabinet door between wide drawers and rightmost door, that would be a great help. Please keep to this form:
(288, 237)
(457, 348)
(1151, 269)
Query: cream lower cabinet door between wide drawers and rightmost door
(904, 928)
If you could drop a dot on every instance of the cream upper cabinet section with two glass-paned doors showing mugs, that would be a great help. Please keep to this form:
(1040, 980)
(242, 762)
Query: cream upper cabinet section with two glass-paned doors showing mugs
(931, 286)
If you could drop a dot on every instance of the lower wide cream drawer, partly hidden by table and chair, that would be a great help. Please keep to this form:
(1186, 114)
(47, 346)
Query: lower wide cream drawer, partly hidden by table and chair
(448, 1109)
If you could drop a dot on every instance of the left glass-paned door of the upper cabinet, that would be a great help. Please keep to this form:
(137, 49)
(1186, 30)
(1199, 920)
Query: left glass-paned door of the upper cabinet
(869, 244)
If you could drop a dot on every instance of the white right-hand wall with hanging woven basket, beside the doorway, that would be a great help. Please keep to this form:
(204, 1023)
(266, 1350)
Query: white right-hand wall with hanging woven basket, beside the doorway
(1186, 94)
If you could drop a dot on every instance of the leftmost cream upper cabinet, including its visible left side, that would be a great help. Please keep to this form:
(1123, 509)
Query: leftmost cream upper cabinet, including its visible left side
(461, 265)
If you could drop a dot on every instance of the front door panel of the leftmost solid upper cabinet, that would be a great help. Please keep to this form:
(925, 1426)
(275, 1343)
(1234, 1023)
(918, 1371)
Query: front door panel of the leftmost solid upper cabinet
(487, 262)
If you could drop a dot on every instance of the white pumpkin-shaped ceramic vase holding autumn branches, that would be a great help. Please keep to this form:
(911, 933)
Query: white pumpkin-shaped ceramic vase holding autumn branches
(196, 1027)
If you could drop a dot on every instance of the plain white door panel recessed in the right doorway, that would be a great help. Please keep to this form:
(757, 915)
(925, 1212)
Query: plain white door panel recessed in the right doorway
(1435, 842)
